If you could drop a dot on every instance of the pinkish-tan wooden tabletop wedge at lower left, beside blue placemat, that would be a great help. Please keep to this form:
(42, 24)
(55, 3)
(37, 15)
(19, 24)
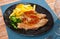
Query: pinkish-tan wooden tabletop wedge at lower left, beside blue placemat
(3, 32)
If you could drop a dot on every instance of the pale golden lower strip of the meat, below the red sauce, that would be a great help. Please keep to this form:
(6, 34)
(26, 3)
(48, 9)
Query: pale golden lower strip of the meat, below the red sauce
(35, 26)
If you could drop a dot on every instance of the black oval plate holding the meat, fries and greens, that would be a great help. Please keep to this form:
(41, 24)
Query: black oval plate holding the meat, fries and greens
(41, 30)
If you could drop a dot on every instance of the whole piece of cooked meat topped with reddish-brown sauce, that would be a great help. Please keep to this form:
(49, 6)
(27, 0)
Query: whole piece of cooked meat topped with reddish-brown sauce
(32, 20)
